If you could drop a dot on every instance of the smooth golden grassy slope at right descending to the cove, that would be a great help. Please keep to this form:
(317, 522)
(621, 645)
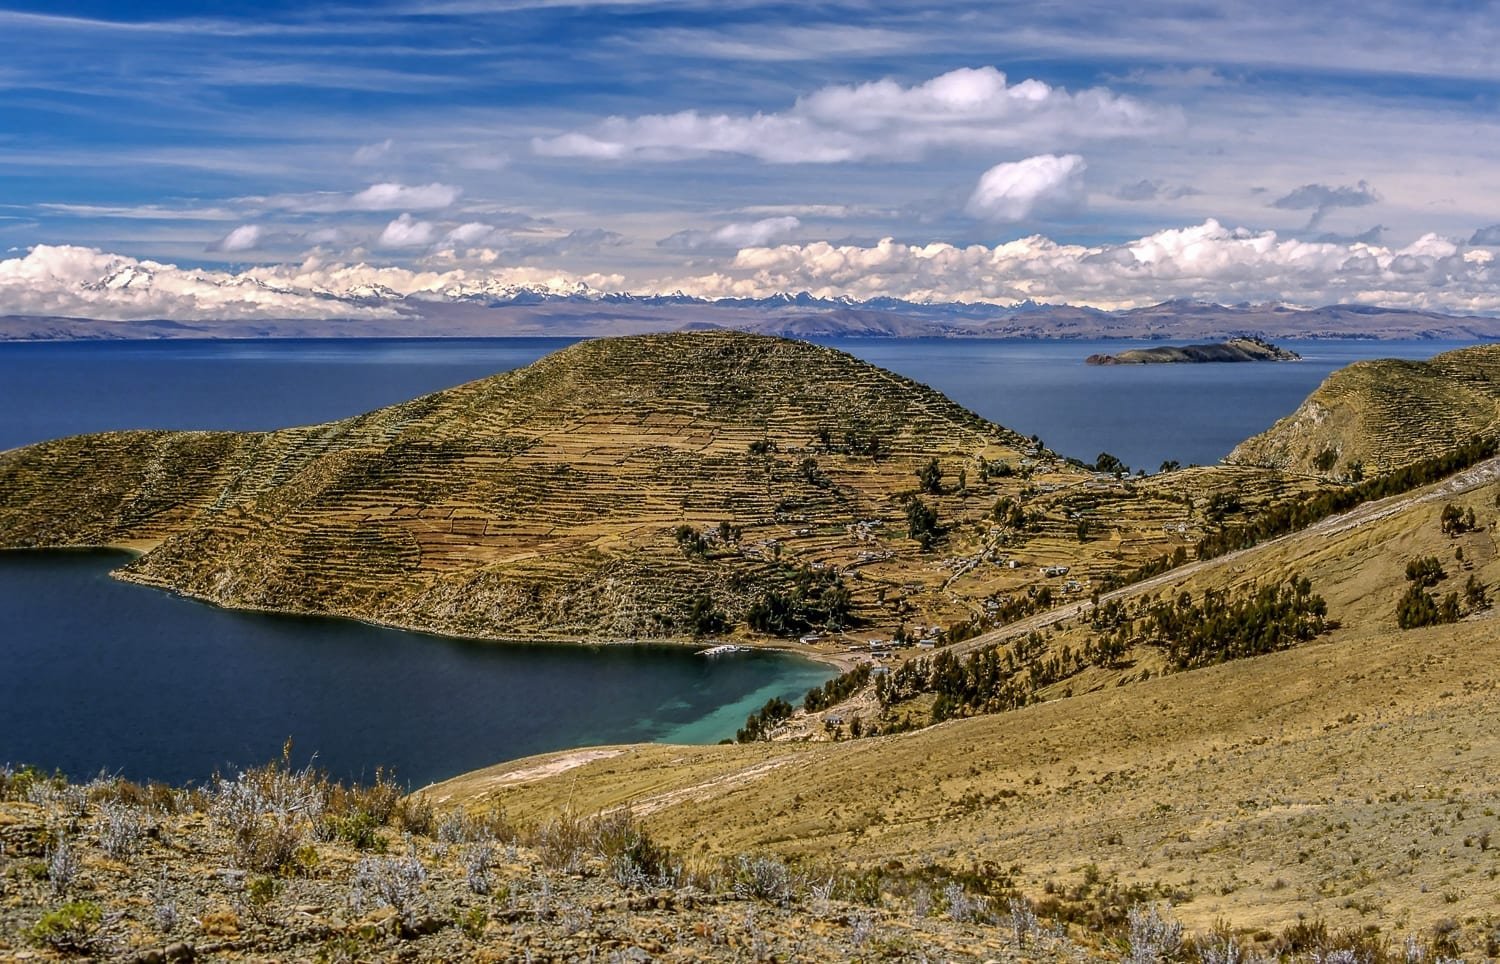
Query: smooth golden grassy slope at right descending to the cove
(1351, 780)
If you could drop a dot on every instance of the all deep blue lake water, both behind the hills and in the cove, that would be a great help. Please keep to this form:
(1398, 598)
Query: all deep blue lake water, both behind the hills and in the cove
(98, 674)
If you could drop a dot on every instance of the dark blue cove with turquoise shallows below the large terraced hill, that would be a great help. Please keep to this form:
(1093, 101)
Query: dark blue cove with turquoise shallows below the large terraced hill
(107, 675)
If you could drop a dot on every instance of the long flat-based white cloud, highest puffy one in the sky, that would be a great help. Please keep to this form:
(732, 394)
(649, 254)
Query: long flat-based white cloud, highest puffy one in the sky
(967, 109)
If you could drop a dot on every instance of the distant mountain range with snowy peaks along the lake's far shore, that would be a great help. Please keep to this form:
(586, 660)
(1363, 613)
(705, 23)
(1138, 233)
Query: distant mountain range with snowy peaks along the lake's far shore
(491, 310)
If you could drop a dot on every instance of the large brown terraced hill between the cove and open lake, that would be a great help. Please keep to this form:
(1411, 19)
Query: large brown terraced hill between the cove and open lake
(656, 486)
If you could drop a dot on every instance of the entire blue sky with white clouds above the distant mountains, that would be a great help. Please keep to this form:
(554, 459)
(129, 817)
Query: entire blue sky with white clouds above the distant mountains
(211, 160)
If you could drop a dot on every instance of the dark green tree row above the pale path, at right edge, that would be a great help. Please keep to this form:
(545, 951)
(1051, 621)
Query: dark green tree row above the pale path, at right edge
(1307, 510)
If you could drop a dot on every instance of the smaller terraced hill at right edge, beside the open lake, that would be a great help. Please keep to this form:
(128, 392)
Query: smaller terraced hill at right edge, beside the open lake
(1378, 416)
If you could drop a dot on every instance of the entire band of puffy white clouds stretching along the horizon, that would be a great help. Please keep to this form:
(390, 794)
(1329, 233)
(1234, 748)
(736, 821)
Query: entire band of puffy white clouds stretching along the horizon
(1208, 262)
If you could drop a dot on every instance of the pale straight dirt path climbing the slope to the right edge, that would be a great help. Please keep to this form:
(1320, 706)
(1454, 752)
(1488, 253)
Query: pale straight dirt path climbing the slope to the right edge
(1468, 481)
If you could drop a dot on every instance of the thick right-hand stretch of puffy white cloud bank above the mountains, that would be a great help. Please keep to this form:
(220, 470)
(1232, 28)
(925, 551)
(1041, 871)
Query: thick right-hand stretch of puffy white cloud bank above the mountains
(1204, 262)
